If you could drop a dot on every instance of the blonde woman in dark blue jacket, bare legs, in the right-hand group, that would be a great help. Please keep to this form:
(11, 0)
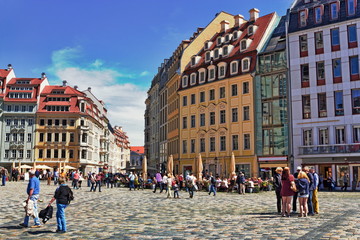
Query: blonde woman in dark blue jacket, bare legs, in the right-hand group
(303, 184)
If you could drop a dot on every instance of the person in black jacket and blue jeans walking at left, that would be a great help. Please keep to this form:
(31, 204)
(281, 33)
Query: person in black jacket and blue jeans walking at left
(62, 196)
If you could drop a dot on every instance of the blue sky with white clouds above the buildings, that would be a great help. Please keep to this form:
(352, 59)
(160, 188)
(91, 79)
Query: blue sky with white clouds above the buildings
(113, 46)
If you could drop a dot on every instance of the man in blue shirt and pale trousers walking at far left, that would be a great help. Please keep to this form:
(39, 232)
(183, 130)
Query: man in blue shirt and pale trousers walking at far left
(33, 191)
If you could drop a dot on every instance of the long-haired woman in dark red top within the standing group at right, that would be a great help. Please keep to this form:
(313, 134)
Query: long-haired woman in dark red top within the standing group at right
(287, 180)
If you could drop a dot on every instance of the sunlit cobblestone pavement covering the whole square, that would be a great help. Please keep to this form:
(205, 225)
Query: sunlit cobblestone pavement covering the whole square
(120, 214)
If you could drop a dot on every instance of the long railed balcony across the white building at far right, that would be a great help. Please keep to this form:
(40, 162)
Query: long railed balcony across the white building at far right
(330, 149)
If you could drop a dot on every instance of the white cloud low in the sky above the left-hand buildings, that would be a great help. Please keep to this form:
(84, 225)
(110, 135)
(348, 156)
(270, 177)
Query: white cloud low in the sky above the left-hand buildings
(124, 101)
